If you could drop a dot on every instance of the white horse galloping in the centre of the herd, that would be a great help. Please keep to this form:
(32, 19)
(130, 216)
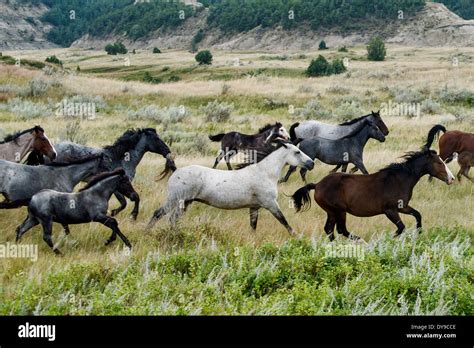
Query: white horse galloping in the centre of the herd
(253, 187)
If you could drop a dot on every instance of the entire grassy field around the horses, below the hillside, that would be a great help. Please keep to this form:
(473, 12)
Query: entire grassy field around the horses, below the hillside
(213, 263)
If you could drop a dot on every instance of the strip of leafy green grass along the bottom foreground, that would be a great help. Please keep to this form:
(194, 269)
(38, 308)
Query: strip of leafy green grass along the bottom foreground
(429, 273)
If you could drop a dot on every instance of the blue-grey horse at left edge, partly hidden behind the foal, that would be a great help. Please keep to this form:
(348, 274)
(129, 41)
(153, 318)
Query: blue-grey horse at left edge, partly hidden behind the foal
(19, 182)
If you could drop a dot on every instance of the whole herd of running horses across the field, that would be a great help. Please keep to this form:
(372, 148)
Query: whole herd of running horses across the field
(42, 176)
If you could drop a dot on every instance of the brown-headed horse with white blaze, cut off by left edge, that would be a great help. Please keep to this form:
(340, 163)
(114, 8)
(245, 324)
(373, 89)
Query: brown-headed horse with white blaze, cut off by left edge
(15, 146)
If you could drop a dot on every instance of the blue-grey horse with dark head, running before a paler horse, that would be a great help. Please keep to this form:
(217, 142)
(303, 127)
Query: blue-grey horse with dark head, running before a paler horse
(340, 152)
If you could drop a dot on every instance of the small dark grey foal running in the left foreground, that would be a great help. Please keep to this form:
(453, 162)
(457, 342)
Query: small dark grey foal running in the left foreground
(90, 204)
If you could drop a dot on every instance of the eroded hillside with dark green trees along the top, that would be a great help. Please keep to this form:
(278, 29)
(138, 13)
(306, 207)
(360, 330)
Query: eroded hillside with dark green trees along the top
(149, 25)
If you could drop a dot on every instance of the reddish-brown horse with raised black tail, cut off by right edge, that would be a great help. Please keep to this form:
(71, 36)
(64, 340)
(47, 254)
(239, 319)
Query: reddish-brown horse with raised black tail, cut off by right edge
(450, 142)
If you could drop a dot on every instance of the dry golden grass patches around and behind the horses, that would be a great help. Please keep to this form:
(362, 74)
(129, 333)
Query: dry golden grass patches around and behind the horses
(439, 204)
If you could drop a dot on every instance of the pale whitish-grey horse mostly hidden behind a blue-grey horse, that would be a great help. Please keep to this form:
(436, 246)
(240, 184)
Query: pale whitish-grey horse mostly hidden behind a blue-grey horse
(311, 128)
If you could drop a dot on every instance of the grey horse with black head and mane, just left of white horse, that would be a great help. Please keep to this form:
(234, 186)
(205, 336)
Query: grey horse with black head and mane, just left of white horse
(127, 152)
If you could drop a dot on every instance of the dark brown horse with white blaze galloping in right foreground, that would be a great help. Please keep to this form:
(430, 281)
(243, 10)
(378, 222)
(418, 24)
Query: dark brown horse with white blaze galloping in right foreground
(386, 192)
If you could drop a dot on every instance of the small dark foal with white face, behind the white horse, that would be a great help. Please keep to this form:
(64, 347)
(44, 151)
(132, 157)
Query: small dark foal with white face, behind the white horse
(233, 142)
